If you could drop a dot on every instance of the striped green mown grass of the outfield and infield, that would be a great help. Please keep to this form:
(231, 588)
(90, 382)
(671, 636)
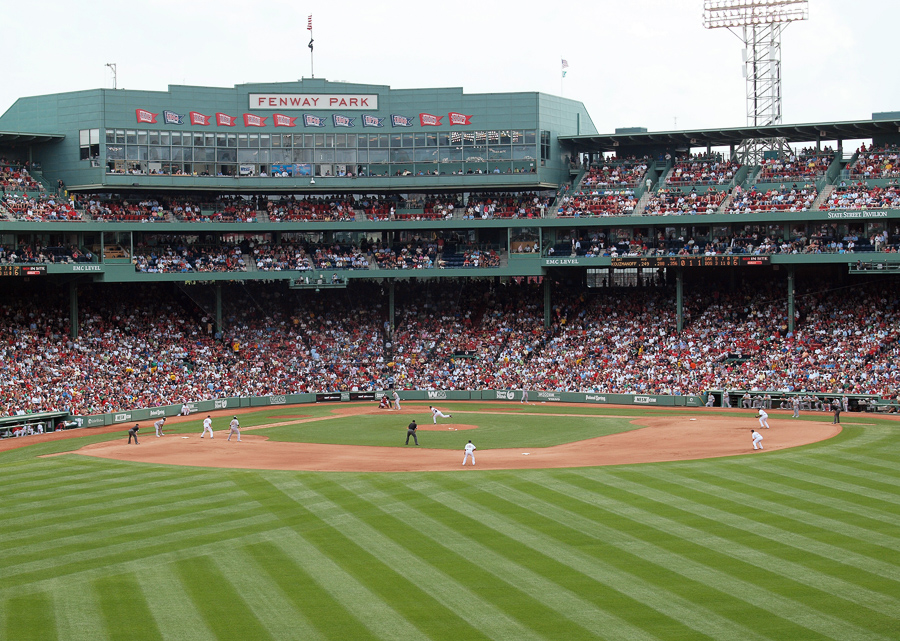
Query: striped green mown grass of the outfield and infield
(788, 545)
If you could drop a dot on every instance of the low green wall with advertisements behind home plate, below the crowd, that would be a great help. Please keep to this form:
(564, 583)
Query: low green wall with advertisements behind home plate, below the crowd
(139, 415)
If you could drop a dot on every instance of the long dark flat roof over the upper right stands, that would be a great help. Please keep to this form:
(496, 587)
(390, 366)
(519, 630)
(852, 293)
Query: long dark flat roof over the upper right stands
(850, 130)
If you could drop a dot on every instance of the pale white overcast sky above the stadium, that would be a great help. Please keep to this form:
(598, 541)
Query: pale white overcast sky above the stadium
(633, 63)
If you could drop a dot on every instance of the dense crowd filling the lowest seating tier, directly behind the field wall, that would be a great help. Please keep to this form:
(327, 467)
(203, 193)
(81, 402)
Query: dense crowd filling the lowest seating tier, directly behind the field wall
(144, 347)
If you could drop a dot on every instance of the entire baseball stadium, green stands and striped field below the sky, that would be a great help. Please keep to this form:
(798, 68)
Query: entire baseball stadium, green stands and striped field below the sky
(246, 334)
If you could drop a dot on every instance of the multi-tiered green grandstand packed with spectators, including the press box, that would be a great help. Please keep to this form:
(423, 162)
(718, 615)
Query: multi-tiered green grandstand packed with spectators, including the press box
(144, 263)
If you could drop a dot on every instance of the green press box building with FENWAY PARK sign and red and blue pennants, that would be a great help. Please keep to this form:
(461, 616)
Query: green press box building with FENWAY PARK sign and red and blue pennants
(344, 136)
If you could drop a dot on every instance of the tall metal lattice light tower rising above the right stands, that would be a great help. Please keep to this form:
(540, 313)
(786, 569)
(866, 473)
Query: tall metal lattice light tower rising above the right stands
(758, 24)
